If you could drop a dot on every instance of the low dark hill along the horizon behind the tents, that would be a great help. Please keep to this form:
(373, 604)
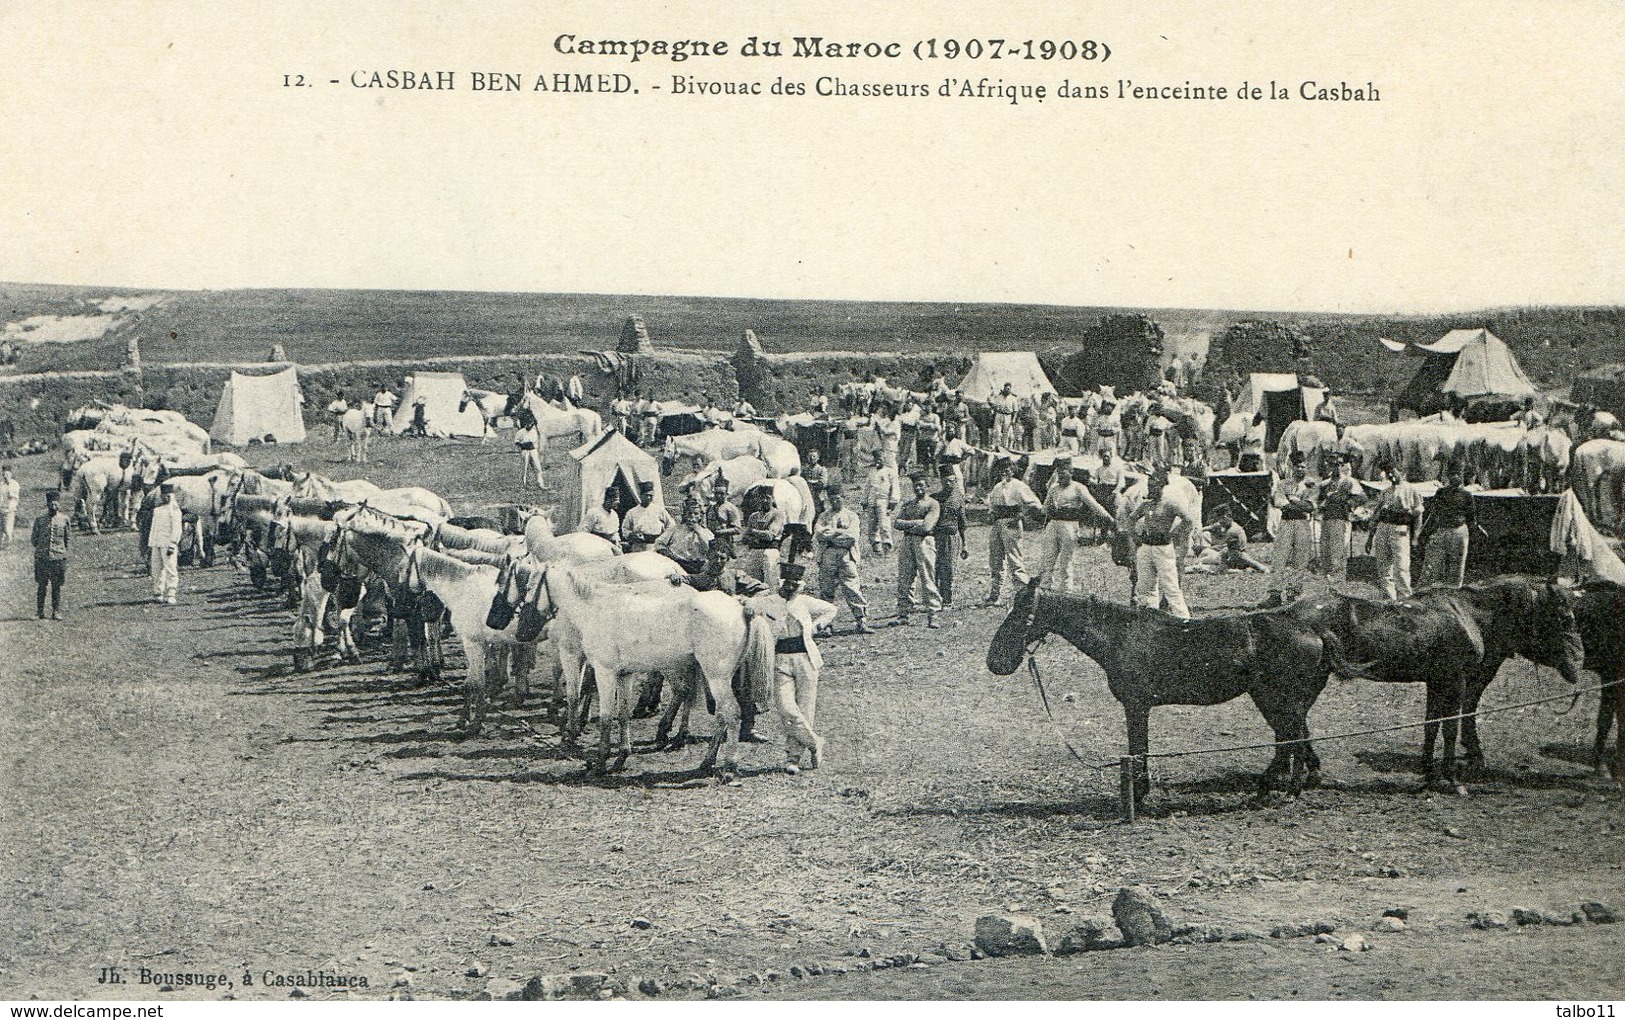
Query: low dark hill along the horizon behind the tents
(344, 326)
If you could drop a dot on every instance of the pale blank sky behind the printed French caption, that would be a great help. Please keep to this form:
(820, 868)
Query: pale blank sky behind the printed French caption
(154, 145)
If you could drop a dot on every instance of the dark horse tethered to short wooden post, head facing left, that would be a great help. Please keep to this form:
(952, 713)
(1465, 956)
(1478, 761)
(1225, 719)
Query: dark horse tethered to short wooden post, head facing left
(1153, 659)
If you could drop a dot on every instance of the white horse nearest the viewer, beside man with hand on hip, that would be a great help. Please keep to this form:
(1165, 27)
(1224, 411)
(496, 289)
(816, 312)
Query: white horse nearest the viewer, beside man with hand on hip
(669, 629)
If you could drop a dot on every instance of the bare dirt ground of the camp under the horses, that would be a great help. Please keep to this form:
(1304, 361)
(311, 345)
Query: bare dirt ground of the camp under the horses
(176, 798)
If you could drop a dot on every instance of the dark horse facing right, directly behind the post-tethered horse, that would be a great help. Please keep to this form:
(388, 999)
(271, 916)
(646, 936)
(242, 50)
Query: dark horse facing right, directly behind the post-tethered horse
(1454, 641)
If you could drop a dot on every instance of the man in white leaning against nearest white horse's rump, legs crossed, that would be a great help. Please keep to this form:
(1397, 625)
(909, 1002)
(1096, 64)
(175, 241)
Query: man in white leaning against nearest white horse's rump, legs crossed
(795, 618)
